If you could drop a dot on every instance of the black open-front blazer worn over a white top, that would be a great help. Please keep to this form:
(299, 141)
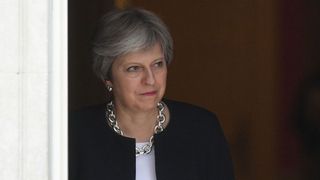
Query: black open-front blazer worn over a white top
(192, 147)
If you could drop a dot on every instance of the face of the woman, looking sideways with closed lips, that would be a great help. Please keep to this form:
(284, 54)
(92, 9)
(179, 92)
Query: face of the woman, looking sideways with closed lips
(139, 79)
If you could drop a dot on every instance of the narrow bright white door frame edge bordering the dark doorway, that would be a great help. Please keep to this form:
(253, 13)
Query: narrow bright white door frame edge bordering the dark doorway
(58, 90)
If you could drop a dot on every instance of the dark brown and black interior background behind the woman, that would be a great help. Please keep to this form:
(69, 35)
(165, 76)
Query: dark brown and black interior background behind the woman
(246, 60)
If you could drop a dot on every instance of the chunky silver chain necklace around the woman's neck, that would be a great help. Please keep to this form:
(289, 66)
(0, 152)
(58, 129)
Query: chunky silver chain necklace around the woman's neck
(145, 149)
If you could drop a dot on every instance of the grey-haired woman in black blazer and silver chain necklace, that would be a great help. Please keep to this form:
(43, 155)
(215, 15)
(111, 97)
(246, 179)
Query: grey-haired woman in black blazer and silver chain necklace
(137, 134)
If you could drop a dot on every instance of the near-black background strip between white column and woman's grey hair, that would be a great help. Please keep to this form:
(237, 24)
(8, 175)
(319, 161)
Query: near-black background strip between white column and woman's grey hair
(84, 88)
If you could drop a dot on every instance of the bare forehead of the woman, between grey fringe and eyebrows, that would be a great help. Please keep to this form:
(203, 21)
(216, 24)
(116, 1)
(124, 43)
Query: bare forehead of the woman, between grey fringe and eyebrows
(141, 56)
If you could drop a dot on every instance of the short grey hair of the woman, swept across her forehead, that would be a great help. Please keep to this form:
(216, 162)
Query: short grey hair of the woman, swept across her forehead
(120, 32)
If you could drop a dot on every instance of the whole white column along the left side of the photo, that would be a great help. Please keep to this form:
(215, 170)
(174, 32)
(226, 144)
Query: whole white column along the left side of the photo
(27, 87)
